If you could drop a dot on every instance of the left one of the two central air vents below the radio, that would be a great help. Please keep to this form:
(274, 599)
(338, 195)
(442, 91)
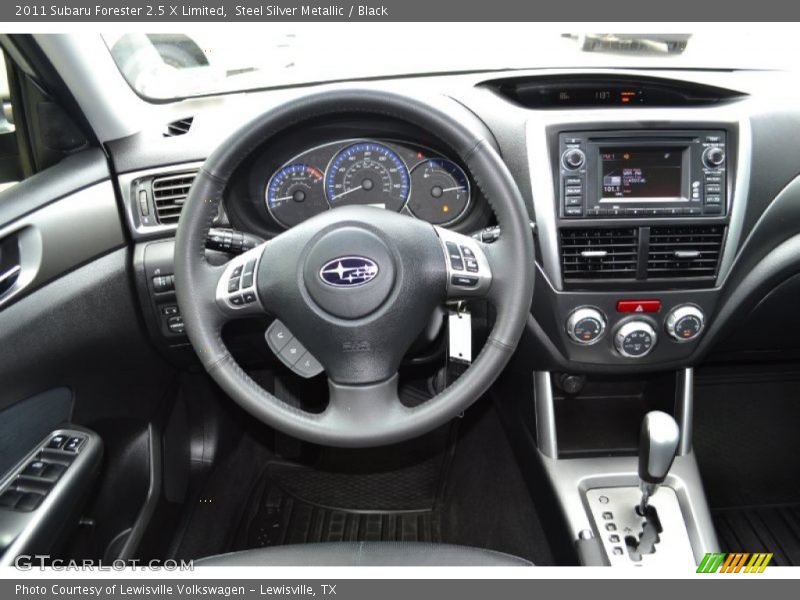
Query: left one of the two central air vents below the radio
(599, 253)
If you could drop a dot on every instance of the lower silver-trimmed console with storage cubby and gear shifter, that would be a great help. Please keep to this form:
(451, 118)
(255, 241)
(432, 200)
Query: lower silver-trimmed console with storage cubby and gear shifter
(623, 506)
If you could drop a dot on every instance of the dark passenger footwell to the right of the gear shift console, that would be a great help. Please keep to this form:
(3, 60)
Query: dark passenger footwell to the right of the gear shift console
(748, 451)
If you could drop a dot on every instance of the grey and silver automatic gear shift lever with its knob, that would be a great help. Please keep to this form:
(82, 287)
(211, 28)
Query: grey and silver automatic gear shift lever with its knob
(658, 442)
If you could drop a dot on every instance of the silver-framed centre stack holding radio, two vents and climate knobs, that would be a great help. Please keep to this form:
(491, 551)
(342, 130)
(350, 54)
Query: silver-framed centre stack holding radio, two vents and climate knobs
(638, 217)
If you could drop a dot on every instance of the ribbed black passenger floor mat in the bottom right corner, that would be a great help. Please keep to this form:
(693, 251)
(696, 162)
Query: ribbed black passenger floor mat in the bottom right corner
(764, 529)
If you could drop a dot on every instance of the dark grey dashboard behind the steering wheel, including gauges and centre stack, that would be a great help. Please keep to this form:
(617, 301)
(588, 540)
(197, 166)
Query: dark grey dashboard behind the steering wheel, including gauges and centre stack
(655, 219)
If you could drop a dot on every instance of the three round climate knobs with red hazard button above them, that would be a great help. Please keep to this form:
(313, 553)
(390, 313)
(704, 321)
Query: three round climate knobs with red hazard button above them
(637, 327)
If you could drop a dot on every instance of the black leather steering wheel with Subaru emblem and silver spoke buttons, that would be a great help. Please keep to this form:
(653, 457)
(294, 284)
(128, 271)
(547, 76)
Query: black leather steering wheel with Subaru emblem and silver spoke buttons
(358, 331)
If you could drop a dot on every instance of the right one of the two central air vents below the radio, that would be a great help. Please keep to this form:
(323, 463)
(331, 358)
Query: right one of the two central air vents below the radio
(687, 251)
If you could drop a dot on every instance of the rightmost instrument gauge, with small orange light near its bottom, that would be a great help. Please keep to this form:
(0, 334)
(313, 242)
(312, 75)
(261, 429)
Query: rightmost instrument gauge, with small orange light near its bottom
(441, 191)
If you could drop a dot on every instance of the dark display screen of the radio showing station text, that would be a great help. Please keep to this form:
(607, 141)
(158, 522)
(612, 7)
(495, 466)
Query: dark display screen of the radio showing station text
(641, 173)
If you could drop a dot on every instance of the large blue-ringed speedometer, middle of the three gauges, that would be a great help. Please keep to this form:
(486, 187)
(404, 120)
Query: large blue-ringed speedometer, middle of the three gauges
(368, 173)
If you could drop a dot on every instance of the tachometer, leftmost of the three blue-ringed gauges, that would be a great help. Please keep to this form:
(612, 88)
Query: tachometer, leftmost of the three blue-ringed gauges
(295, 193)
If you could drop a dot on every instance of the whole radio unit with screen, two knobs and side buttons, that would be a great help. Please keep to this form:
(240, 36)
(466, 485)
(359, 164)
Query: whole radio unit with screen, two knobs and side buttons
(617, 174)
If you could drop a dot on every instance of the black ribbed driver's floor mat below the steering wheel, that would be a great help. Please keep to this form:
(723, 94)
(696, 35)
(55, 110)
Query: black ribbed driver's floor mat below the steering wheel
(342, 500)
